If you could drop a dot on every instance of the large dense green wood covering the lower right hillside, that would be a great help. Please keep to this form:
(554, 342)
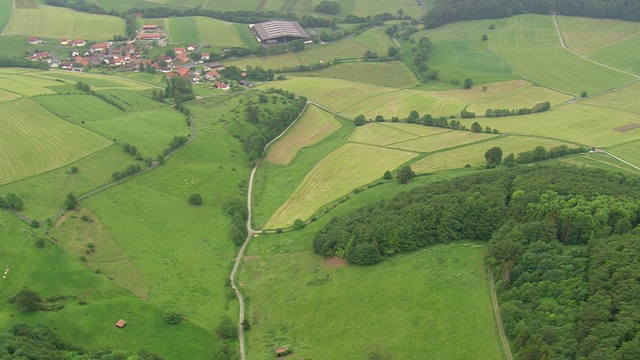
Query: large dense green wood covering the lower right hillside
(563, 243)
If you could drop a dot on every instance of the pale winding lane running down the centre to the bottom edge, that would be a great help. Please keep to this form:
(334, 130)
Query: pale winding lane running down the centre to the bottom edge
(250, 233)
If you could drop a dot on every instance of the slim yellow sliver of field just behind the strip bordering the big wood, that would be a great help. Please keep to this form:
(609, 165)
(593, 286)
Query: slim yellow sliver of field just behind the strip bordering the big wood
(442, 141)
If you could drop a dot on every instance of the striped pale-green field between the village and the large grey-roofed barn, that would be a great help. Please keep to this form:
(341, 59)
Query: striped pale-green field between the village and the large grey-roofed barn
(200, 29)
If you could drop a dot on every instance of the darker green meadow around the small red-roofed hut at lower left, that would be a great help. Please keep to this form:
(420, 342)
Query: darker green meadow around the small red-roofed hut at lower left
(49, 271)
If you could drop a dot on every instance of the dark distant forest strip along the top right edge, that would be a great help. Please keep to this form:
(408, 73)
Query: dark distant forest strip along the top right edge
(448, 11)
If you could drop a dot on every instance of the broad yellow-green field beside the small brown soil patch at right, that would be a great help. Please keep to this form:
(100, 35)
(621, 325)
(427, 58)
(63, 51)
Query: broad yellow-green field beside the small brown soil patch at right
(575, 123)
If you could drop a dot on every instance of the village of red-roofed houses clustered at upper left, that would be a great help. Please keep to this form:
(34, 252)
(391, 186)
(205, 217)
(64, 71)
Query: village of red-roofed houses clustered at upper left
(186, 62)
